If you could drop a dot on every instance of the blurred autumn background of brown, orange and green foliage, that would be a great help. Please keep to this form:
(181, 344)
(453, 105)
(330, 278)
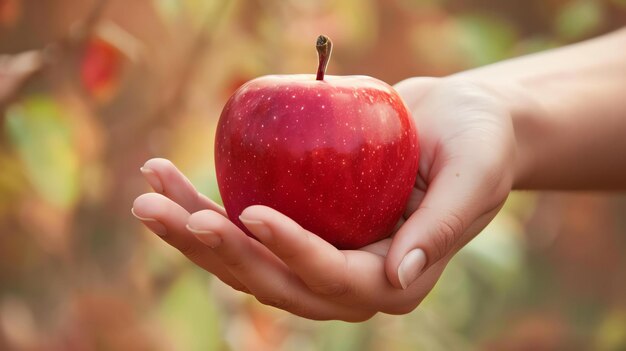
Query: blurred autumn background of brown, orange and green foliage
(89, 90)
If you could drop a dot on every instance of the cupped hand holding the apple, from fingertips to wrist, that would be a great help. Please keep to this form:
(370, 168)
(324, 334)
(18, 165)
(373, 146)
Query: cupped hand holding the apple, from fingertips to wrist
(465, 174)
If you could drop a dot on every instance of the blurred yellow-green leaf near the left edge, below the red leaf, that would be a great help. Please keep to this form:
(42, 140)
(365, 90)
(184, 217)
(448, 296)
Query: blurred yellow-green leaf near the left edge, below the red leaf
(43, 137)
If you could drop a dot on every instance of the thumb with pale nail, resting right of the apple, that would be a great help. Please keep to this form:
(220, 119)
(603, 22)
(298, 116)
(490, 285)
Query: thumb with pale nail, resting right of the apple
(454, 209)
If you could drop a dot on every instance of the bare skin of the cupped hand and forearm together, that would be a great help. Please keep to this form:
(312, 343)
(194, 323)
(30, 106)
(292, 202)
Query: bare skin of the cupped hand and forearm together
(554, 120)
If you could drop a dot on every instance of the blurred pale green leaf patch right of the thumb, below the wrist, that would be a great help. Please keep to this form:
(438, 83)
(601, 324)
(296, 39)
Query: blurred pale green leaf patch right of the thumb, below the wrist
(482, 278)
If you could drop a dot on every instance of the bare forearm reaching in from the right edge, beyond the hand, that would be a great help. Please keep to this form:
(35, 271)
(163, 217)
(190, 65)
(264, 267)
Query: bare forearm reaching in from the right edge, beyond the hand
(569, 112)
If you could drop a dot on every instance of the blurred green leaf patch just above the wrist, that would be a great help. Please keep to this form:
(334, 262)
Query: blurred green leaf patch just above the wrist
(485, 39)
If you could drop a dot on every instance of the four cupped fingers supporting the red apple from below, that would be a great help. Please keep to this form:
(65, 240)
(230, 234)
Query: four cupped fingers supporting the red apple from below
(289, 268)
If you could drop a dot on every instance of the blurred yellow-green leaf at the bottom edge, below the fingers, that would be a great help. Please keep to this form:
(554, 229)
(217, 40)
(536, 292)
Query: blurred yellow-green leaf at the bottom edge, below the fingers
(189, 314)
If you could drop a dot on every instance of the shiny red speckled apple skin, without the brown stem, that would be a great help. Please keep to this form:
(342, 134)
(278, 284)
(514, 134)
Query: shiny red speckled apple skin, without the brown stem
(339, 156)
